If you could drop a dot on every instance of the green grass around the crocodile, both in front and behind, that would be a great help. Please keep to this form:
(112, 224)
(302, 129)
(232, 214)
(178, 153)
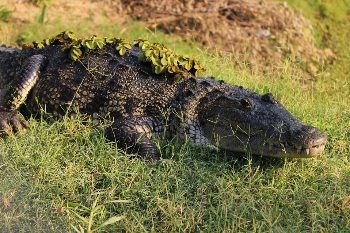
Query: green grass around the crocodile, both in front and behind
(64, 176)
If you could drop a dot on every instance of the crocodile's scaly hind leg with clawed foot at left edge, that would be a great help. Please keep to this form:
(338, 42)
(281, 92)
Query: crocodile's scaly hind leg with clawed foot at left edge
(14, 96)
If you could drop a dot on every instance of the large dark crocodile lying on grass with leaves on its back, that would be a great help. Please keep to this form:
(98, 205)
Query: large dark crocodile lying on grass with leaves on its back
(141, 104)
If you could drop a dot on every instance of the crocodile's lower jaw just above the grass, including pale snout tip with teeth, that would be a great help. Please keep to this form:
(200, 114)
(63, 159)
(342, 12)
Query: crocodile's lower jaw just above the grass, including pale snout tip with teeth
(304, 144)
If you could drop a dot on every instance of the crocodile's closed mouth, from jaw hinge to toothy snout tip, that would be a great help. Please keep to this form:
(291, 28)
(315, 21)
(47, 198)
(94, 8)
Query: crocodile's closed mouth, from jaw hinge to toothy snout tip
(290, 141)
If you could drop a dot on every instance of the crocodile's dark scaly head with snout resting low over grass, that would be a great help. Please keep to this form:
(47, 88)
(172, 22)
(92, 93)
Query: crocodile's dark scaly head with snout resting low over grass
(241, 120)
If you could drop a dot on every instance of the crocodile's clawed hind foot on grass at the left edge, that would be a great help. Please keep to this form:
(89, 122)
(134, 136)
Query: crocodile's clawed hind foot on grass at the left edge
(11, 122)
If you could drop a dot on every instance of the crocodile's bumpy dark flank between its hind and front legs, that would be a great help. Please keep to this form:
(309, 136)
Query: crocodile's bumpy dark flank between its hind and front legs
(101, 83)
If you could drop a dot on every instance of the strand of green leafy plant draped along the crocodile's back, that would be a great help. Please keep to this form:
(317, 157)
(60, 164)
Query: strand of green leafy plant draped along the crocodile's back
(162, 59)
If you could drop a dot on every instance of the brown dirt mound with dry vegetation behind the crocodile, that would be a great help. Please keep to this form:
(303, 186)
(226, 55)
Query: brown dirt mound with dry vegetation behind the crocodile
(261, 33)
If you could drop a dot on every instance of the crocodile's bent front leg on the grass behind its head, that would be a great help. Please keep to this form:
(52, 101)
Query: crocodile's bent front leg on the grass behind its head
(135, 135)
